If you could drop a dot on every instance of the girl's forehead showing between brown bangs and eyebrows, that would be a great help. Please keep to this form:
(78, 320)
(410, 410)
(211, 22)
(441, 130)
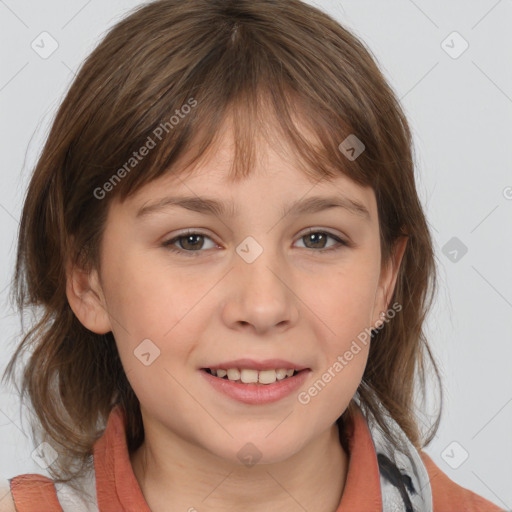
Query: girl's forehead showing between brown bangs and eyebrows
(275, 178)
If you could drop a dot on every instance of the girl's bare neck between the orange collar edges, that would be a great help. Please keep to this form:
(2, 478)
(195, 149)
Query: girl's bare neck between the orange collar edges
(179, 476)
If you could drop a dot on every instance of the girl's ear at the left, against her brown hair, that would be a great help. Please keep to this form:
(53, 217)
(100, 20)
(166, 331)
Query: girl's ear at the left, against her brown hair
(86, 299)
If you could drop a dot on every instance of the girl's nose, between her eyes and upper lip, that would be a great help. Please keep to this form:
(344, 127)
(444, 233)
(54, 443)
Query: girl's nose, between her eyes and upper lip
(260, 295)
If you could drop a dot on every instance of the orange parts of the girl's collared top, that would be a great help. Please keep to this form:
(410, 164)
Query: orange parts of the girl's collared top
(117, 489)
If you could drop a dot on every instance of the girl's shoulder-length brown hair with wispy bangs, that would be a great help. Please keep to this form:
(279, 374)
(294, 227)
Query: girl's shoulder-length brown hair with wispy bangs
(243, 59)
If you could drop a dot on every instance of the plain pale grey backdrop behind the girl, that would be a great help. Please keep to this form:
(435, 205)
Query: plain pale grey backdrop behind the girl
(450, 65)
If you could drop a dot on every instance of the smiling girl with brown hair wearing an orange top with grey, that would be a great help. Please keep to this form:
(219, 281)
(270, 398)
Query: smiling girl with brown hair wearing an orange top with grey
(233, 266)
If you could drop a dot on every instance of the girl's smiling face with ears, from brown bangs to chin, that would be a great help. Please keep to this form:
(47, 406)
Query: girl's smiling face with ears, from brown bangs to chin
(185, 288)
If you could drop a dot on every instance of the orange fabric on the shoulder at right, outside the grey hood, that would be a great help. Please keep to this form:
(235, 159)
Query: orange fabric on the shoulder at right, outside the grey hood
(449, 496)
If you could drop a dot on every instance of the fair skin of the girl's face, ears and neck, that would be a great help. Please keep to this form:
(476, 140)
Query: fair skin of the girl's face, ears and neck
(295, 301)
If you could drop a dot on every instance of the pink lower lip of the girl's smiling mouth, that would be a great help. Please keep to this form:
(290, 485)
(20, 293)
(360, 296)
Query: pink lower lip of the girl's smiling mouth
(256, 394)
